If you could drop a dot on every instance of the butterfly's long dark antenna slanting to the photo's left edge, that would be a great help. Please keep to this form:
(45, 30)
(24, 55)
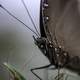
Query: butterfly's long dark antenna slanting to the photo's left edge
(18, 20)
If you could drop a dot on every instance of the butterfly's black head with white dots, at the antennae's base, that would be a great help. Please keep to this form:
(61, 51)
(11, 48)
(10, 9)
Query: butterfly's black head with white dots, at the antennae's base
(46, 48)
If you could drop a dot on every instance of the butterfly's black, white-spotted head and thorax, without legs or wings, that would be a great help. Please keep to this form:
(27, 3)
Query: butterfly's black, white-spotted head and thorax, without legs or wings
(55, 55)
